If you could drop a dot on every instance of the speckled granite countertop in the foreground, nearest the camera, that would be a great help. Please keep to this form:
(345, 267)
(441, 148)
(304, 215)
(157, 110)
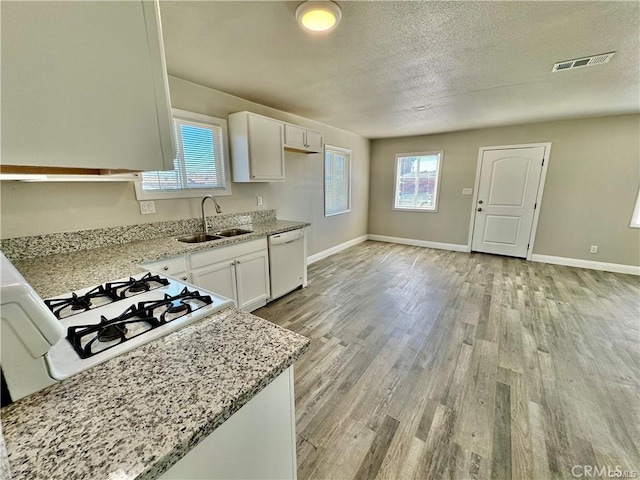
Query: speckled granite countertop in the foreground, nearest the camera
(136, 415)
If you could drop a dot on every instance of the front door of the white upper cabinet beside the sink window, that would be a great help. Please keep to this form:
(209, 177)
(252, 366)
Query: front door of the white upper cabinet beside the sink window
(266, 148)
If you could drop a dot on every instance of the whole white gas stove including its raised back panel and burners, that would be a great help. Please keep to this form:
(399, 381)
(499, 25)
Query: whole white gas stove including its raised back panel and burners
(47, 341)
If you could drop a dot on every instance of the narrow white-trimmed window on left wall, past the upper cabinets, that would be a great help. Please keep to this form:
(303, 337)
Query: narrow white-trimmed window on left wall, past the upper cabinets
(337, 180)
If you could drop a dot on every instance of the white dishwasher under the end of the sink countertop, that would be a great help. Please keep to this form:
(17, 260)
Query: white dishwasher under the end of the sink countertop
(286, 262)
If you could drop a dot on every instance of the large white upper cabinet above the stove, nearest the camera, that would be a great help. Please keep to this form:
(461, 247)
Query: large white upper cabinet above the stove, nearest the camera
(84, 86)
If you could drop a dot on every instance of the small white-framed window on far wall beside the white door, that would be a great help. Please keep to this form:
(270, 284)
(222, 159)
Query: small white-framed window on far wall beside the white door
(417, 181)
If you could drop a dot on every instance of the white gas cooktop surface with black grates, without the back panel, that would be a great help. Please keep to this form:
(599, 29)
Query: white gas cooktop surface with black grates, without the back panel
(104, 321)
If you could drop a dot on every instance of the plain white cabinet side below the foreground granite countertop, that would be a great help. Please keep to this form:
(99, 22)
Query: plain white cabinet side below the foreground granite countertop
(256, 442)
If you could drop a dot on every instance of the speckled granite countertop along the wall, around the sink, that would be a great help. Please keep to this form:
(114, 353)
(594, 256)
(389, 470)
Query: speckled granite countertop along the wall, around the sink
(66, 272)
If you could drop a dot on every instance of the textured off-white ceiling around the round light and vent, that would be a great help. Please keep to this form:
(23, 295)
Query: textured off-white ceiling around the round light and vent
(474, 64)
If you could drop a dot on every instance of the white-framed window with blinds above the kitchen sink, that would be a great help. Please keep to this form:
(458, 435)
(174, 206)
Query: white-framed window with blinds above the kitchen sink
(202, 162)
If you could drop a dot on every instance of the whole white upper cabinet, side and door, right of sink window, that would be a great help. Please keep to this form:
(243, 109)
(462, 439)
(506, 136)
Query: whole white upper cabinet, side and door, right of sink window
(257, 148)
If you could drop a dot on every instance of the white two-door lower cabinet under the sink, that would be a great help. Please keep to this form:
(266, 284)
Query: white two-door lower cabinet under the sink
(239, 272)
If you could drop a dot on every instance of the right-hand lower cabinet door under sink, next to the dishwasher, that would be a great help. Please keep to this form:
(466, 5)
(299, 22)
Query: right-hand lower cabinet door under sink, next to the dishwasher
(252, 272)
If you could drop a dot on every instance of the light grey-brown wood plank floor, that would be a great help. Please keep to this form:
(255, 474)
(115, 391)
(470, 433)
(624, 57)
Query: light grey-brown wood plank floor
(431, 364)
